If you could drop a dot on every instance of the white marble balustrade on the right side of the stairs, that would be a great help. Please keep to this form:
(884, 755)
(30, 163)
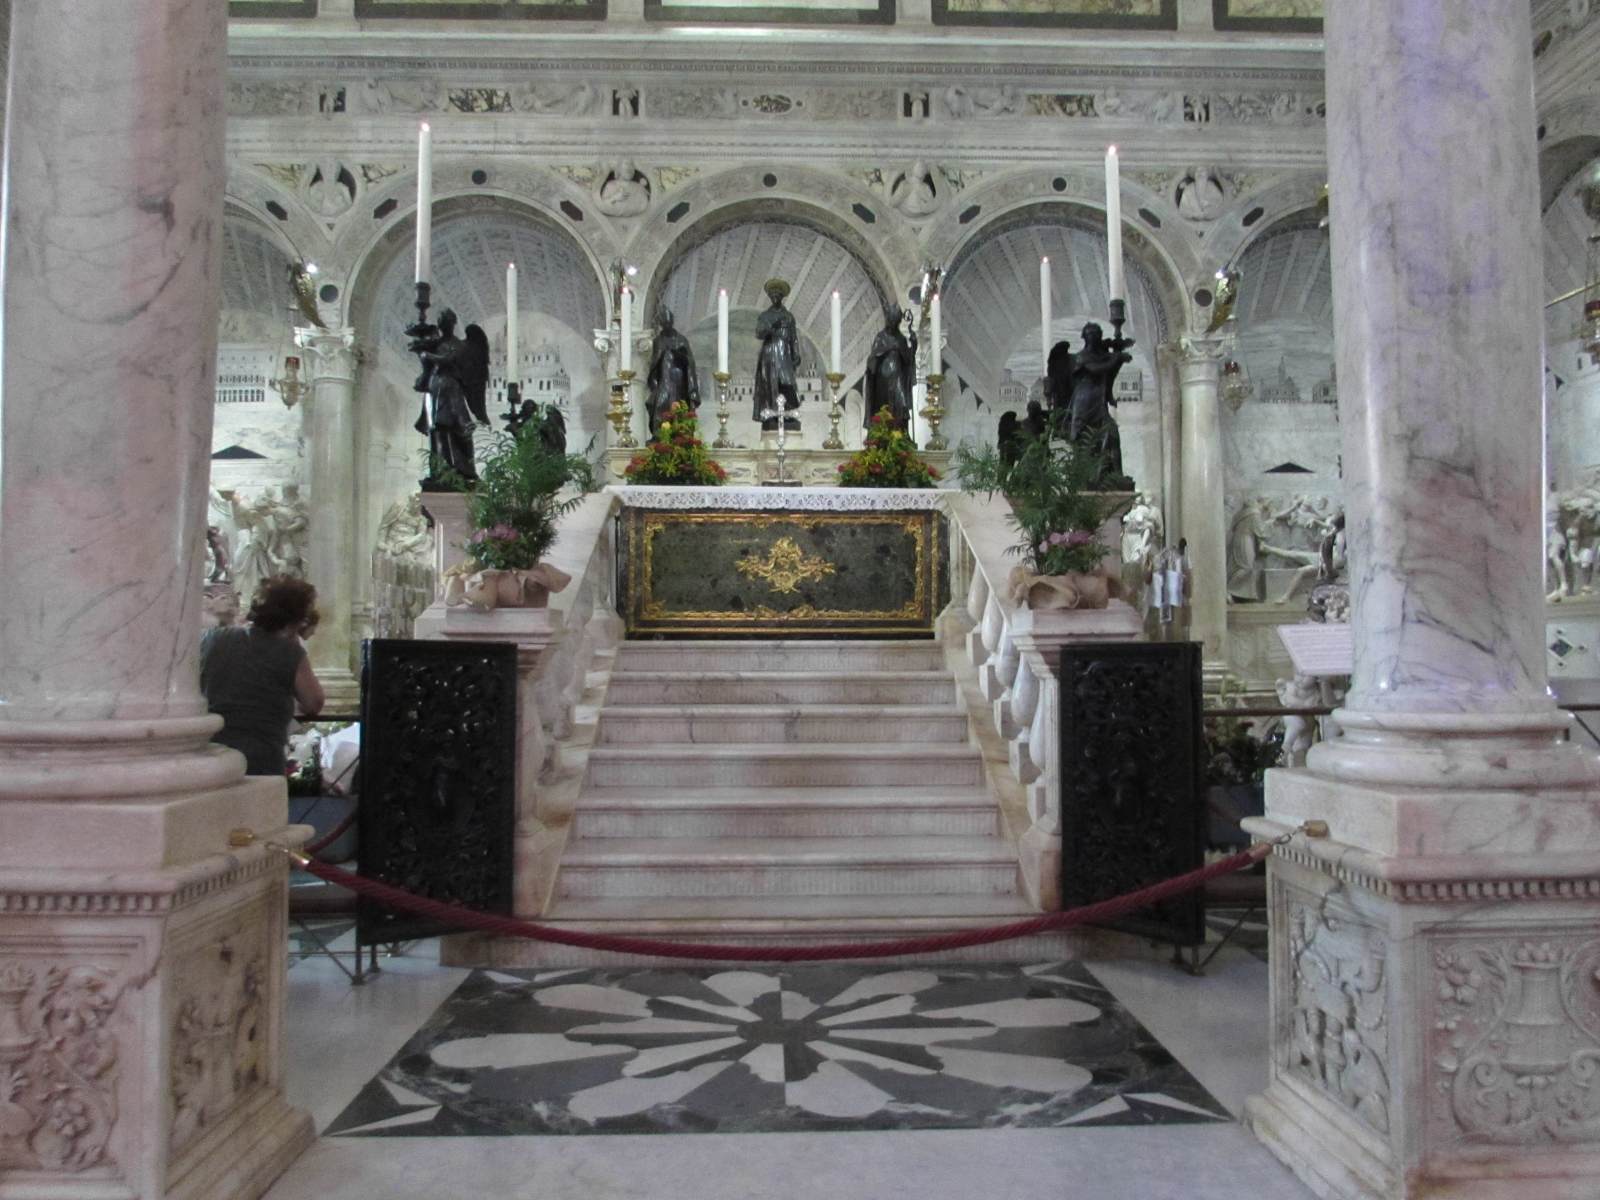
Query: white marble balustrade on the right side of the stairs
(1014, 652)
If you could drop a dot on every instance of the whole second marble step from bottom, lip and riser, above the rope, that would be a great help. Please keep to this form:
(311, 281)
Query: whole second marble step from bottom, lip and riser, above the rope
(822, 866)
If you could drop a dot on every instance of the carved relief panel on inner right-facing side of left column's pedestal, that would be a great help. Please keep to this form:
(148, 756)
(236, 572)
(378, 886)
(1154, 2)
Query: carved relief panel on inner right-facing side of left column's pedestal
(218, 1039)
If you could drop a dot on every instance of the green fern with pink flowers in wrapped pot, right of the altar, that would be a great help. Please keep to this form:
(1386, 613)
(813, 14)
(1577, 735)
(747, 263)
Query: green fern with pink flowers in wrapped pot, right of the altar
(1049, 486)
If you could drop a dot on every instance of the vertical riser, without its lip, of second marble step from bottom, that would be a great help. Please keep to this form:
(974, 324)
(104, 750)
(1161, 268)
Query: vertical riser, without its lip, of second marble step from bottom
(593, 881)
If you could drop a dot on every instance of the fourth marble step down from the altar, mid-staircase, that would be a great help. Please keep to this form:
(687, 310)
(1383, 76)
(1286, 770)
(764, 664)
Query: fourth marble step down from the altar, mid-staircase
(786, 766)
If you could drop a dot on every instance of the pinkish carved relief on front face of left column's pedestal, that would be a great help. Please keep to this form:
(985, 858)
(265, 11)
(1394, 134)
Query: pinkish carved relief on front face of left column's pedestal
(58, 1066)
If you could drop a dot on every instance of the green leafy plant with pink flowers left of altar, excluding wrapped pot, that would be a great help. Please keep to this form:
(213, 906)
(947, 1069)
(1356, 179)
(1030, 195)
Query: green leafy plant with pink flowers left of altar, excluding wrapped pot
(518, 500)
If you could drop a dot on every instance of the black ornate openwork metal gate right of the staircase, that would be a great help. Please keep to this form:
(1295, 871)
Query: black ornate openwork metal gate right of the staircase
(1132, 809)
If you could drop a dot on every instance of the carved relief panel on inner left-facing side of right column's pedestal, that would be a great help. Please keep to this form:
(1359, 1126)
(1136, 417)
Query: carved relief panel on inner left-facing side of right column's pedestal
(1337, 1036)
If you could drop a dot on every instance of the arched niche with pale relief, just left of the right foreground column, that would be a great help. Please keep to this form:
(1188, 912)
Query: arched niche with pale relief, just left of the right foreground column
(1282, 446)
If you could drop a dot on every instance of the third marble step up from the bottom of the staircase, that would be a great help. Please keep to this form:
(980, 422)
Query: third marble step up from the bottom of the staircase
(785, 814)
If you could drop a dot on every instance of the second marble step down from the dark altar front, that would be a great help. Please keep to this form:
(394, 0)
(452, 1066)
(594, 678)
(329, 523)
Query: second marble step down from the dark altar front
(778, 687)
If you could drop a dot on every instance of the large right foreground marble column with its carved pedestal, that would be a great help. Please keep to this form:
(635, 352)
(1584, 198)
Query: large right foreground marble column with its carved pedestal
(1436, 1014)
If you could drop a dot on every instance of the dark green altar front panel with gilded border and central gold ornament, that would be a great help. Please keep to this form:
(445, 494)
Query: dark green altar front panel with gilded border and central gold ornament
(718, 574)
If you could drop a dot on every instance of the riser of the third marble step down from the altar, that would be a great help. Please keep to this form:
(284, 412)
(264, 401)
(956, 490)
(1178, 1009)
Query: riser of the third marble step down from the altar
(679, 727)
